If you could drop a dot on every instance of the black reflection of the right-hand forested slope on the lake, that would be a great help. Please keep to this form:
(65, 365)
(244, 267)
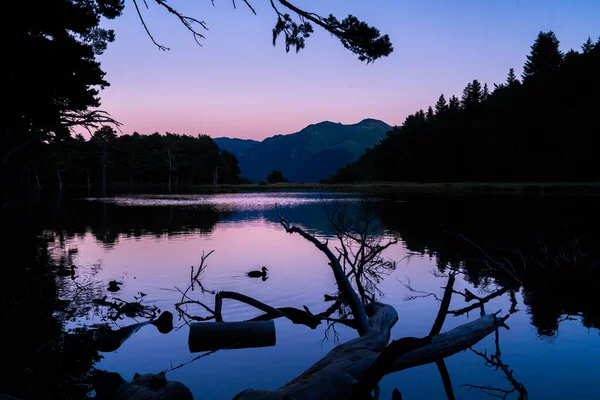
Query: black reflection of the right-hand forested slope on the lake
(538, 228)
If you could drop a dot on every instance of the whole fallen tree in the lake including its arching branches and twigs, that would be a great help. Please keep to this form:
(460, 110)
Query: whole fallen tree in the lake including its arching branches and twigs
(353, 370)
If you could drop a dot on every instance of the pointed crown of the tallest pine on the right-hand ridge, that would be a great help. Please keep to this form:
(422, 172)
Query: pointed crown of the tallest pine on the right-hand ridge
(545, 57)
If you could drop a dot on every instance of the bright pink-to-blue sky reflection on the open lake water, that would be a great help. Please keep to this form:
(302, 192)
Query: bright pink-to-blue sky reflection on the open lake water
(250, 238)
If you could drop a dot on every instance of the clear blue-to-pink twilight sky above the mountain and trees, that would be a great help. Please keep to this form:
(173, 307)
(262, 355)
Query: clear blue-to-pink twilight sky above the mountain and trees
(238, 85)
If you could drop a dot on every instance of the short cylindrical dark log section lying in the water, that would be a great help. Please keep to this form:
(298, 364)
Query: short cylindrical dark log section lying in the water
(208, 336)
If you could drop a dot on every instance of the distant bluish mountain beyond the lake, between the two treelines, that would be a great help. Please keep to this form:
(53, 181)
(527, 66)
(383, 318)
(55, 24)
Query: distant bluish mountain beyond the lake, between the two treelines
(314, 153)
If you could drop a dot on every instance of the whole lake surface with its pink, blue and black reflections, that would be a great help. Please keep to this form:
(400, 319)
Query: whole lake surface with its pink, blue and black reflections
(151, 247)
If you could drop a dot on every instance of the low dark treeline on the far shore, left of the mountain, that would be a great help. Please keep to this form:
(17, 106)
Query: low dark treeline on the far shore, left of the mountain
(171, 160)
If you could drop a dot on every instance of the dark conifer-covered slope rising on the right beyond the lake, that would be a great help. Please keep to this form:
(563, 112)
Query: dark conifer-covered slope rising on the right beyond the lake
(541, 128)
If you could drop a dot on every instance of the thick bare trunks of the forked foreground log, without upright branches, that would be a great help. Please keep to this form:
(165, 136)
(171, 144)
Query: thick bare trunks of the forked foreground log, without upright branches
(335, 376)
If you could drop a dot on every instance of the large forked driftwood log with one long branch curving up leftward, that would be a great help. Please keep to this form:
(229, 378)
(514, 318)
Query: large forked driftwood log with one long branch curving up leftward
(352, 369)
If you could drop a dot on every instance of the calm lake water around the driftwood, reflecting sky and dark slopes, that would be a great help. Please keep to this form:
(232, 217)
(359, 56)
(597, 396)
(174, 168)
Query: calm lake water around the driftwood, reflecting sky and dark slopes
(149, 243)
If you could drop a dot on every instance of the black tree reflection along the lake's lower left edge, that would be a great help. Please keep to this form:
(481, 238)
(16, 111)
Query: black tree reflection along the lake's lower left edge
(44, 360)
